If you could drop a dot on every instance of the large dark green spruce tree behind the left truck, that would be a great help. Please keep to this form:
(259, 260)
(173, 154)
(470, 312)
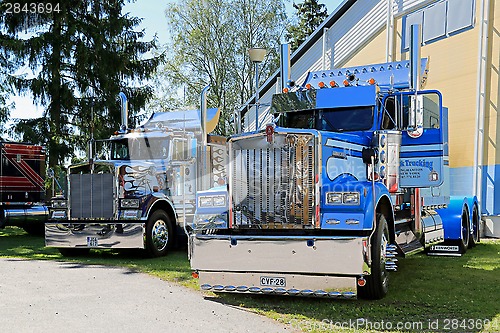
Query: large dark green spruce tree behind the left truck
(83, 53)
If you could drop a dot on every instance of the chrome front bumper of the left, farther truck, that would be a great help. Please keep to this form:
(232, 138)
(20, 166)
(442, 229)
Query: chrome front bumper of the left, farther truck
(82, 234)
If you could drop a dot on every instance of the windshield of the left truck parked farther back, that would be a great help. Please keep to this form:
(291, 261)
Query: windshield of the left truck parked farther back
(139, 149)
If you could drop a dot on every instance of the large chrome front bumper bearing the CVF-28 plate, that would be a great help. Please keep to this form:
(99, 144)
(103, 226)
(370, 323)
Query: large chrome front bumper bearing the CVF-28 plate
(308, 266)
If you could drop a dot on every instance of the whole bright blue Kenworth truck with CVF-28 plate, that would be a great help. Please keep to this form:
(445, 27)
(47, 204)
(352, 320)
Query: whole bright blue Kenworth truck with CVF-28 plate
(353, 172)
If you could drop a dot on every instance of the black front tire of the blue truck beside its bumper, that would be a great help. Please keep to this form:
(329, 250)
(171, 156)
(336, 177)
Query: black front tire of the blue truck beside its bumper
(377, 282)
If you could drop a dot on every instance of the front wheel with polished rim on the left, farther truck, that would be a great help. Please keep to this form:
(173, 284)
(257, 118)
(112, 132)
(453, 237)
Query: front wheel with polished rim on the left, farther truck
(159, 234)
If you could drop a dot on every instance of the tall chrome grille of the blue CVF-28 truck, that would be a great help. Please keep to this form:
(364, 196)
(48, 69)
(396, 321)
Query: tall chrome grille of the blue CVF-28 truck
(272, 184)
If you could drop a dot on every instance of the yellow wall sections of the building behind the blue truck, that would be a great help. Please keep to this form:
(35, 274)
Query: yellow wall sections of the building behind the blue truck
(453, 70)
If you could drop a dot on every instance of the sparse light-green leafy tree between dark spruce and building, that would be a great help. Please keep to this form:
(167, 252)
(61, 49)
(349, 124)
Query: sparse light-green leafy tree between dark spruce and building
(210, 42)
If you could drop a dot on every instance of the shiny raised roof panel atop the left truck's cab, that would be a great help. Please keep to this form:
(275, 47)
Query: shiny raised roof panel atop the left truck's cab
(183, 120)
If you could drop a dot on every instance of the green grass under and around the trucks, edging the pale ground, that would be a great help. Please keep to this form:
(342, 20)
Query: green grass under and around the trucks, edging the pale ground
(431, 294)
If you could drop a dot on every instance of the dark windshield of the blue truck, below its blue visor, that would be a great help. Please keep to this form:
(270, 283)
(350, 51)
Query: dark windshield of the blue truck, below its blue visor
(335, 120)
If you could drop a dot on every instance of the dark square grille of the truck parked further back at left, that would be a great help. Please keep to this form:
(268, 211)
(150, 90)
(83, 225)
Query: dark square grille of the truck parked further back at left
(91, 196)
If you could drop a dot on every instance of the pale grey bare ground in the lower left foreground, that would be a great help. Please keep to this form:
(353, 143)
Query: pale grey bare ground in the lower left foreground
(49, 296)
